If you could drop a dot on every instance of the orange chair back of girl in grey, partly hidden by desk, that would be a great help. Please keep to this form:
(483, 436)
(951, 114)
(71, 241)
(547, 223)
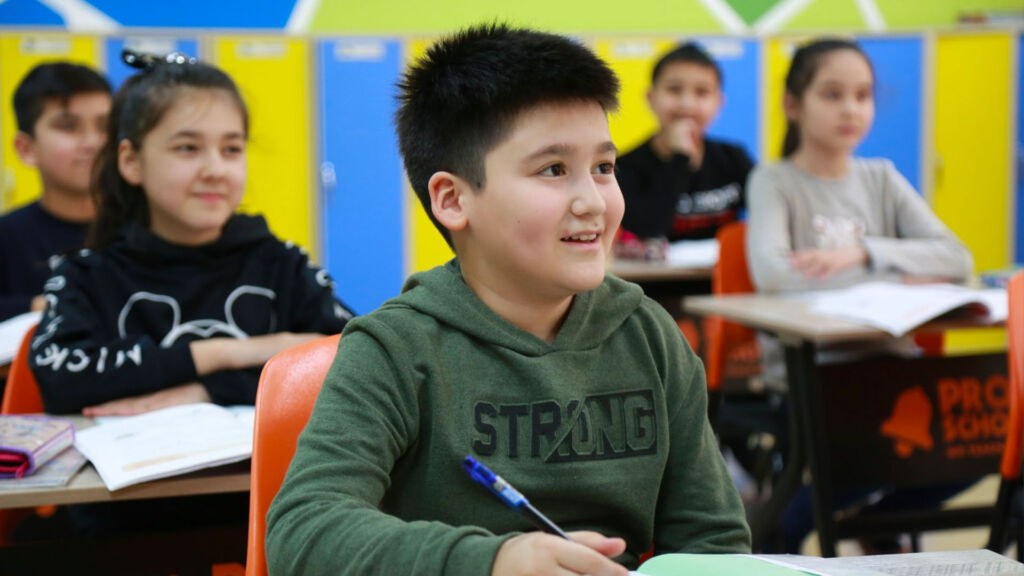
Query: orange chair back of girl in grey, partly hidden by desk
(731, 276)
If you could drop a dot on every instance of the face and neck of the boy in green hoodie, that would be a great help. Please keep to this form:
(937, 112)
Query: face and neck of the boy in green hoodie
(541, 229)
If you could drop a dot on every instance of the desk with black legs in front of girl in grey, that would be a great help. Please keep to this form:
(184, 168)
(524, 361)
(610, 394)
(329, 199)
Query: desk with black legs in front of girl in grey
(802, 333)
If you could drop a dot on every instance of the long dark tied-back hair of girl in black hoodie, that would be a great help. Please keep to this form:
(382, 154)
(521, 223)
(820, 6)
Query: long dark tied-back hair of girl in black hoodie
(139, 106)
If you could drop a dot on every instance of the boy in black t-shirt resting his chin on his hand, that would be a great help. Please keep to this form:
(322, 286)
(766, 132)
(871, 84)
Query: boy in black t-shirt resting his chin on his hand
(680, 185)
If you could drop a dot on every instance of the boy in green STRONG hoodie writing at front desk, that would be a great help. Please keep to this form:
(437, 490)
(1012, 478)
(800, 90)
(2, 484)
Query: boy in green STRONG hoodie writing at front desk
(522, 353)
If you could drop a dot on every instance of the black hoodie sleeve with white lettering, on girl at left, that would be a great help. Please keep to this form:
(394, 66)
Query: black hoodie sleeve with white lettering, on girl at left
(77, 365)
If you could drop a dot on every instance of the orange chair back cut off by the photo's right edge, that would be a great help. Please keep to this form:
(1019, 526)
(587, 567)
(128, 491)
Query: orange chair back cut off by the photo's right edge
(1012, 455)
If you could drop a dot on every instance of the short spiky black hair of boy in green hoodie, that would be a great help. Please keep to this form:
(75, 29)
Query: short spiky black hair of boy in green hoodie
(459, 101)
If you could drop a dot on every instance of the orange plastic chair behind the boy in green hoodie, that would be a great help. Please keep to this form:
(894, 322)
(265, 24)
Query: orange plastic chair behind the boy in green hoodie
(288, 389)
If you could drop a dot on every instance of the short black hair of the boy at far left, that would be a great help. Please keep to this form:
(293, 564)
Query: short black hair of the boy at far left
(60, 80)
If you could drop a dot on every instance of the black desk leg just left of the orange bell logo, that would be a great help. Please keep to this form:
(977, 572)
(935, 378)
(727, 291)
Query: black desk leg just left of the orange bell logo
(805, 395)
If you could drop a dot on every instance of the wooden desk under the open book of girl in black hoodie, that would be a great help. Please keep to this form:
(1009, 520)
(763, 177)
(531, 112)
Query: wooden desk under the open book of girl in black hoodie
(87, 486)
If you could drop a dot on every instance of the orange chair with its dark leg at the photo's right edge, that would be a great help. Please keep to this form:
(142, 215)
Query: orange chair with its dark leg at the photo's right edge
(1013, 454)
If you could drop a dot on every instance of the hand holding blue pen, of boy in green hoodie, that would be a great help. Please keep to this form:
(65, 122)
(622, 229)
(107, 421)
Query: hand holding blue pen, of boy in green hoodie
(540, 554)
